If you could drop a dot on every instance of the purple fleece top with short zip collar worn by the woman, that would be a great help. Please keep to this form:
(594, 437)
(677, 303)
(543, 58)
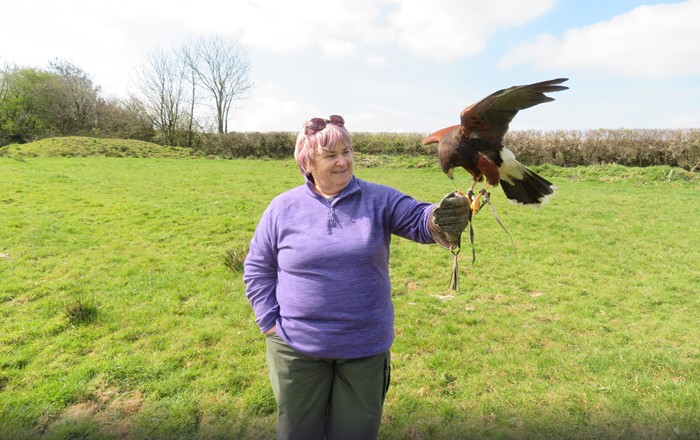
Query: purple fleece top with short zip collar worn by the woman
(319, 270)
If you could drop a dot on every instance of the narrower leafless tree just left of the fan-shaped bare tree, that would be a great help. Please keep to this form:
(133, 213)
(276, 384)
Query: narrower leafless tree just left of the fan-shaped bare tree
(163, 90)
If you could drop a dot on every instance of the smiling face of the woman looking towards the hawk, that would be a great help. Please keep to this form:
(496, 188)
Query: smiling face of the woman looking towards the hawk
(332, 169)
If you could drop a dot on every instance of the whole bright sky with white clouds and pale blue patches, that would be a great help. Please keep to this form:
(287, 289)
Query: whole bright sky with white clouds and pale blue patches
(393, 65)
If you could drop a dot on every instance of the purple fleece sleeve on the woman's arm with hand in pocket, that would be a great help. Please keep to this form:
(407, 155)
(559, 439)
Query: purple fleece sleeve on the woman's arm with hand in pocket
(260, 273)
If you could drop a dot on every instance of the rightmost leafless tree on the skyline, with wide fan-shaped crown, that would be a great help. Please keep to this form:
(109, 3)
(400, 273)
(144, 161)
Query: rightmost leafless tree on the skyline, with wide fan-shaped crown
(222, 71)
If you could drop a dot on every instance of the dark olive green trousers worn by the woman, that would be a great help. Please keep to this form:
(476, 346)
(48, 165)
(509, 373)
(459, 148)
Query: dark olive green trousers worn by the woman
(321, 398)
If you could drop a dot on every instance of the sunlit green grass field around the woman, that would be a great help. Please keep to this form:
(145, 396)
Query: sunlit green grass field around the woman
(120, 319)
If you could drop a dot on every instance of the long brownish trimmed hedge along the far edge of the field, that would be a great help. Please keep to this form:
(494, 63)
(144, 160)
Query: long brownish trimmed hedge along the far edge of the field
(569, 148)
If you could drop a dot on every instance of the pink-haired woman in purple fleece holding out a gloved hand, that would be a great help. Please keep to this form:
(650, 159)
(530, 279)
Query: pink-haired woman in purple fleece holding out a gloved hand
(317, 276)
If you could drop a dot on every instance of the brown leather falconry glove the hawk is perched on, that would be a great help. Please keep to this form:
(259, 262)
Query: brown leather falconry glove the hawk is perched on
(449, 220)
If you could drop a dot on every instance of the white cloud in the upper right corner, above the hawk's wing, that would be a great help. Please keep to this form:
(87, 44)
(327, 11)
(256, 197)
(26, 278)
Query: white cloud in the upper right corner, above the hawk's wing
(649, 42)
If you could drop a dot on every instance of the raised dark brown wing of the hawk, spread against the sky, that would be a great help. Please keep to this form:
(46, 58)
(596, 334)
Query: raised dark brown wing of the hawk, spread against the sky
(490, 117)
